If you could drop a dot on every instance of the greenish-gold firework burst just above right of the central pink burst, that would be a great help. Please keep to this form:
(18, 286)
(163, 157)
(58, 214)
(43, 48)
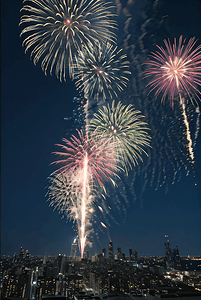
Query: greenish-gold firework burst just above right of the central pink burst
(122, 125)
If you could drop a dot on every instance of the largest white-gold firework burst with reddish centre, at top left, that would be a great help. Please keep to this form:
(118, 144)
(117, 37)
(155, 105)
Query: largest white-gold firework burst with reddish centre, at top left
(57, 28)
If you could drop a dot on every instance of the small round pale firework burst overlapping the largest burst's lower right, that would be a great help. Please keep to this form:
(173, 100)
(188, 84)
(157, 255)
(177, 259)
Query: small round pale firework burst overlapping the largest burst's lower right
(101, 71)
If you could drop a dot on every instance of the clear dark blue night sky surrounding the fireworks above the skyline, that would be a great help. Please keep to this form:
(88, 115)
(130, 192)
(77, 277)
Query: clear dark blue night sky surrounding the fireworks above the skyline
(33, 108)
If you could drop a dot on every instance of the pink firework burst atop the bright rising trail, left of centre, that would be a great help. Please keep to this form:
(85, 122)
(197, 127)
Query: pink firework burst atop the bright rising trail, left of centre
(100, 159)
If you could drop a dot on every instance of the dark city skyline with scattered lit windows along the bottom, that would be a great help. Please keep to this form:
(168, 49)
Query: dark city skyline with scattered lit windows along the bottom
(104, 275)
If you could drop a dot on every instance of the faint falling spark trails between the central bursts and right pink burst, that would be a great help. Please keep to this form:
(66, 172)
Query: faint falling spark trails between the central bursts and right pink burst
(169, 143)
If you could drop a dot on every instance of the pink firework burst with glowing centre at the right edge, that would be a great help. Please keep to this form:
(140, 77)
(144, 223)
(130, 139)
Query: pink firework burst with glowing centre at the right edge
(175, 70)
